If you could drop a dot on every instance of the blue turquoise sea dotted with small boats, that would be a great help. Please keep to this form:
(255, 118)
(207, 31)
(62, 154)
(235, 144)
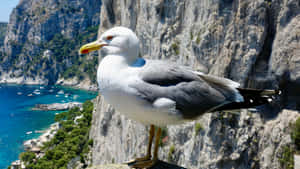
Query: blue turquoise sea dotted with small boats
(17, 121)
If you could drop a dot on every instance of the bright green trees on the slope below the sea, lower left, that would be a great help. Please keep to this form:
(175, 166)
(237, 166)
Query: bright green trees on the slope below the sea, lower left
(70, 142)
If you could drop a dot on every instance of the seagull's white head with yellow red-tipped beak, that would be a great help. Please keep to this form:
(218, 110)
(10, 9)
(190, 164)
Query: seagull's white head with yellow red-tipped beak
(115, 41)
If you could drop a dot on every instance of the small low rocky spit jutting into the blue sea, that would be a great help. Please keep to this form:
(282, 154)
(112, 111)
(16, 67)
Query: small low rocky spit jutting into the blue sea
(57, 106)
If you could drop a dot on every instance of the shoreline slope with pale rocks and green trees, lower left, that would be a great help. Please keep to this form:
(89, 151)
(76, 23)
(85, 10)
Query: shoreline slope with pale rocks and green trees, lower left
(73, 128)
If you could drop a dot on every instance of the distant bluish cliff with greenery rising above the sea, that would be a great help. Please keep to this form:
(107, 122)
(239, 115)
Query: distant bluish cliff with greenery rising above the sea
(43, 38)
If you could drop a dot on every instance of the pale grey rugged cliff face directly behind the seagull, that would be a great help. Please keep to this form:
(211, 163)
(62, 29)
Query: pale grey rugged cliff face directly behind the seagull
(254, 42)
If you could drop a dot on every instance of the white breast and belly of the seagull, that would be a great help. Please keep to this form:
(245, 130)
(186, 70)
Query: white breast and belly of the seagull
(114, 85)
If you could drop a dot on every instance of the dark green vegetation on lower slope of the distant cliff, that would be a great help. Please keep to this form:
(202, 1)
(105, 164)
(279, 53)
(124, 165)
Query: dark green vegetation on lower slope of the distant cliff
(63, 59)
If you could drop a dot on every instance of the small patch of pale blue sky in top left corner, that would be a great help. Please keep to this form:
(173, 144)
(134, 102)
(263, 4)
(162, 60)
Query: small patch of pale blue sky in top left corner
(6, 7)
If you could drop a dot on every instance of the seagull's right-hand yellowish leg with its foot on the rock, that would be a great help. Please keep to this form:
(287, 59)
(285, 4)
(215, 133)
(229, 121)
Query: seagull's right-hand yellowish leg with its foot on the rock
(151, 162)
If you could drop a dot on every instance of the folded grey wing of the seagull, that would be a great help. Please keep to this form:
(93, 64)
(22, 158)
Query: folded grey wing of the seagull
(194, 93)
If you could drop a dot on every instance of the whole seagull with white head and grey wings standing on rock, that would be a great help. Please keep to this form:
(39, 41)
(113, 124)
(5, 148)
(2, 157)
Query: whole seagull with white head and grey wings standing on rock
(159, 93)
